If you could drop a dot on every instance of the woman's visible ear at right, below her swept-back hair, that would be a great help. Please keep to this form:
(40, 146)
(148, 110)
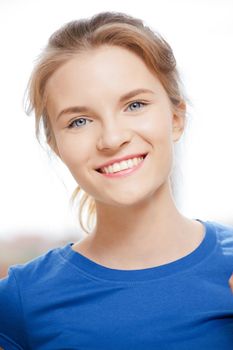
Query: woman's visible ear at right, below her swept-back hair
(178, 121)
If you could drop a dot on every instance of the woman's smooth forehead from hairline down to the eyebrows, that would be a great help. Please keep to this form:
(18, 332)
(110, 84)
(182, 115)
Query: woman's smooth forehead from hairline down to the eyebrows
(99, 75)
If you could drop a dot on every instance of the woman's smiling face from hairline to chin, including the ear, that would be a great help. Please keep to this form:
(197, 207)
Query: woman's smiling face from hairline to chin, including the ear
(112, 126)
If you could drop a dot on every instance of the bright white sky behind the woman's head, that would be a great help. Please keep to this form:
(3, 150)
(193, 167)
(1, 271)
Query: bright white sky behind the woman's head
(35, 190)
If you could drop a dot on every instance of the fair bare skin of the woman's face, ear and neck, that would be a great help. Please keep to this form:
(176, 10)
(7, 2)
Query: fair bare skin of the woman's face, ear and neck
(138, 225)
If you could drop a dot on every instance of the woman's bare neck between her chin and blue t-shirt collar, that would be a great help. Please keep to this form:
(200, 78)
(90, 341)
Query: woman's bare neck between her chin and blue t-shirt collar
(149, 233)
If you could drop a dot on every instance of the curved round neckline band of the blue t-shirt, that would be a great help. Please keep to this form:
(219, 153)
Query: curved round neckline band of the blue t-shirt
(95, 270)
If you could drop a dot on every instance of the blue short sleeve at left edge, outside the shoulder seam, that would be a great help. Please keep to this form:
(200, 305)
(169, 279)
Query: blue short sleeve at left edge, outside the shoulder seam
(12, 332)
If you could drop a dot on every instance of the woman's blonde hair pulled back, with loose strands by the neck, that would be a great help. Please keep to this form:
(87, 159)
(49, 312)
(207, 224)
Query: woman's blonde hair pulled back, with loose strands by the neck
(111, 28)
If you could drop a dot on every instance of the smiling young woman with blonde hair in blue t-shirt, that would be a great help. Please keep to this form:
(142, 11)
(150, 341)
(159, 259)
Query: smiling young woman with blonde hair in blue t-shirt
(145, 277)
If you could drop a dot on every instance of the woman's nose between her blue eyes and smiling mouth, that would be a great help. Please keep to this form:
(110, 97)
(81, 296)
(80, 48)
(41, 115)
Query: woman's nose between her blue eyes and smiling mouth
(113, 136)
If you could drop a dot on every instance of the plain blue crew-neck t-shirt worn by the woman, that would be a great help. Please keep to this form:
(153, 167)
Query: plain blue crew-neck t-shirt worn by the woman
(62, 300)
